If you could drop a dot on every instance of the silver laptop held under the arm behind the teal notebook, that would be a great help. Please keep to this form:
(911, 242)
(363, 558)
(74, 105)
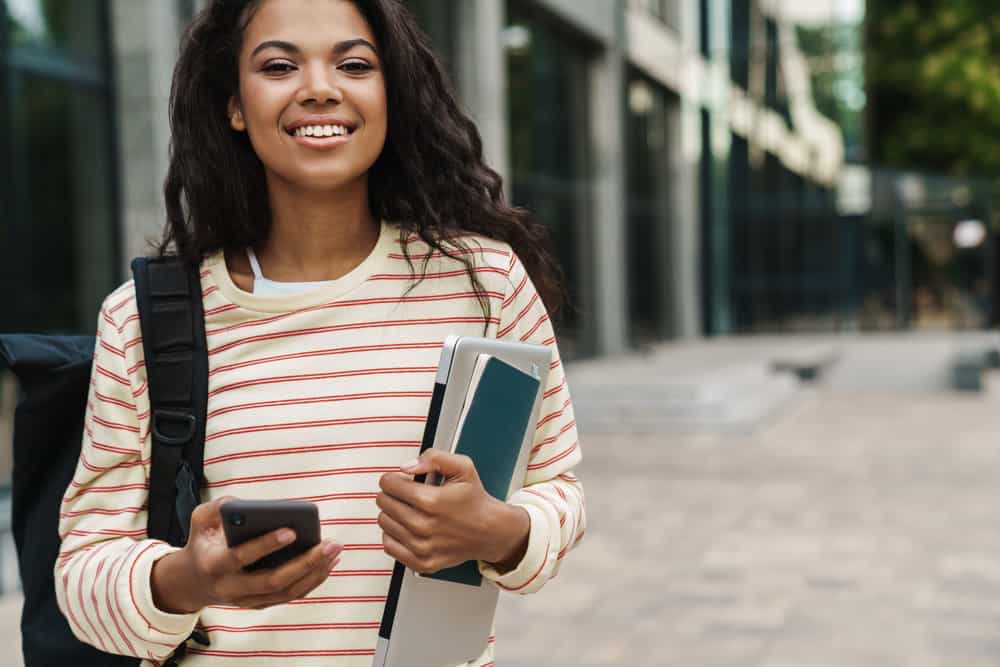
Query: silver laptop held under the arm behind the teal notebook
(429, 622)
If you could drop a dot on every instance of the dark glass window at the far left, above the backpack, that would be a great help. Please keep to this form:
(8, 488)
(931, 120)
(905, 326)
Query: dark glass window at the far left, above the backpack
(59, 237)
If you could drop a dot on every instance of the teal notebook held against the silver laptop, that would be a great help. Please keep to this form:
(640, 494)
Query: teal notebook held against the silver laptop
(491, 435)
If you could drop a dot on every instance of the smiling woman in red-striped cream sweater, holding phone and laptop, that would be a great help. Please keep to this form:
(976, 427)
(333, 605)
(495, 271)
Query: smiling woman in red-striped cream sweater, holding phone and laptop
(337, 201)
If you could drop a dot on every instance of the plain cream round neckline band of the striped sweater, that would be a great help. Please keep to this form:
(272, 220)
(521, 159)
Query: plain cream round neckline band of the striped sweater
(323, 292)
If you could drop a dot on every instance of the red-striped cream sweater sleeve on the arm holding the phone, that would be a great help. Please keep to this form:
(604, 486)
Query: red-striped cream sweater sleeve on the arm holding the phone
(102, 574)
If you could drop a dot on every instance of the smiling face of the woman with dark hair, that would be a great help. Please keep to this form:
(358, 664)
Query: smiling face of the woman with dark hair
(311, 94)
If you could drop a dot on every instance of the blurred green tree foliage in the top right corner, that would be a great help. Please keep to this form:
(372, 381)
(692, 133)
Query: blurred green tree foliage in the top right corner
(933, 76)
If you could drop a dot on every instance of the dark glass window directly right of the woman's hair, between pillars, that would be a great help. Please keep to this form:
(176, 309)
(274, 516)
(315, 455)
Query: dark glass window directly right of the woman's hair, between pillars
(547, 112)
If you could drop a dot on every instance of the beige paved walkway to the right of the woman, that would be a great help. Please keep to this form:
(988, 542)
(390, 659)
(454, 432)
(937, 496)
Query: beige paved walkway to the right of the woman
(856, 530)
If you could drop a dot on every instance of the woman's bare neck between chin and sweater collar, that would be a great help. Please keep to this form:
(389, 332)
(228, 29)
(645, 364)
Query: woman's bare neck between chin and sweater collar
(317, 235)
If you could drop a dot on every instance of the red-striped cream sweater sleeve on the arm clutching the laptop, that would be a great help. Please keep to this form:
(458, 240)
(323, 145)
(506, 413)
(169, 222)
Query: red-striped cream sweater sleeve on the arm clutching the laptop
(552, 495)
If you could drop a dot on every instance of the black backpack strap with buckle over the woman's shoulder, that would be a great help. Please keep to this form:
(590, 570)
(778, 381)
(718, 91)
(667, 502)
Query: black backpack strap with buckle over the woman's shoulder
(168, 295)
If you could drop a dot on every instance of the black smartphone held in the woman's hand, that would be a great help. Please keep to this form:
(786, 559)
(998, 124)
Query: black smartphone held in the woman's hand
(244, 520)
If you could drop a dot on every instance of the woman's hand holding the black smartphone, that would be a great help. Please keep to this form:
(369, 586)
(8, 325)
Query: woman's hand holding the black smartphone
(207, 571)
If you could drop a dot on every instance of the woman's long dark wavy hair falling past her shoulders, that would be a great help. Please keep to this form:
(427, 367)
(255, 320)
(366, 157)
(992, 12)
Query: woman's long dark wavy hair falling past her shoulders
(430, 178)
